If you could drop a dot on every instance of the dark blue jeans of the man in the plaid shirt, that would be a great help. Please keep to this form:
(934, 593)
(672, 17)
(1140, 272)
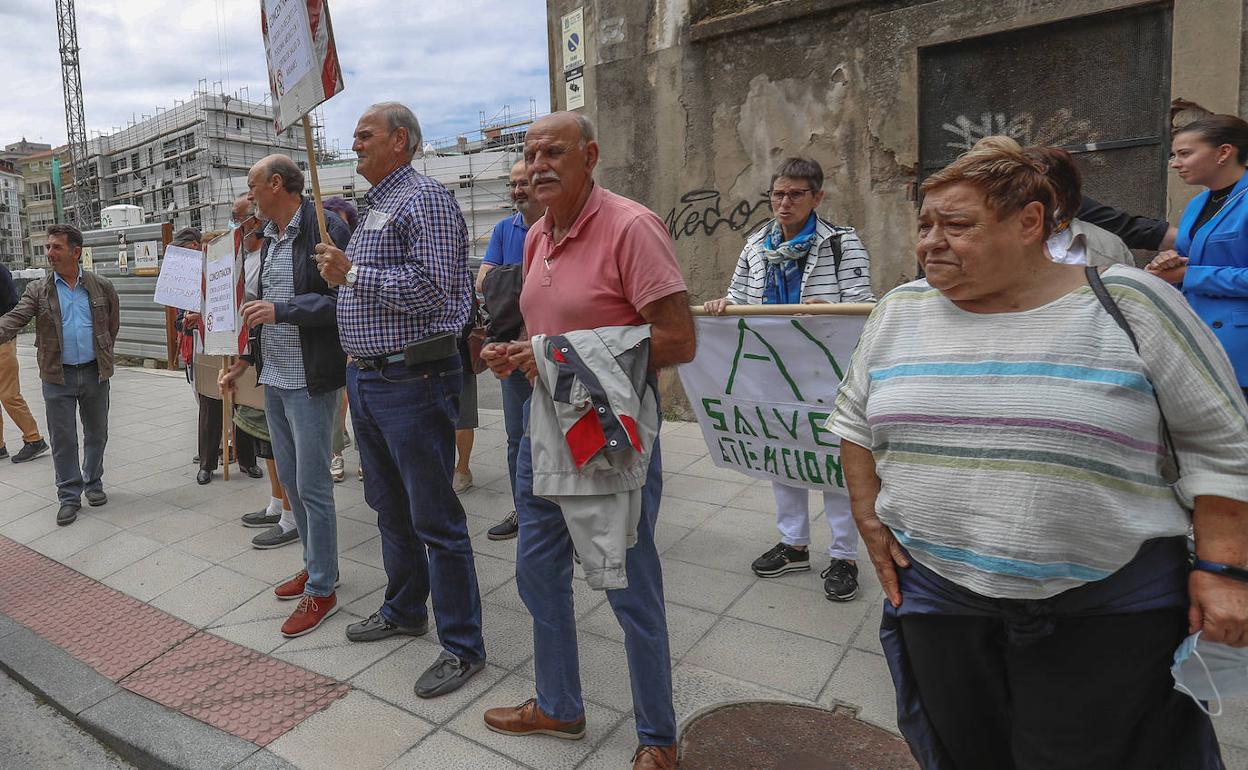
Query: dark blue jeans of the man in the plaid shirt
(405, 420)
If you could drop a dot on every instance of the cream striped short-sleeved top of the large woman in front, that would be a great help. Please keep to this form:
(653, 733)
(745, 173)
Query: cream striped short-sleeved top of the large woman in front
(1021, 454)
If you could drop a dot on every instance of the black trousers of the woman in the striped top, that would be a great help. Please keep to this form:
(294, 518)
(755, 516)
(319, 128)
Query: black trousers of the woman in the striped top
(1094, 694)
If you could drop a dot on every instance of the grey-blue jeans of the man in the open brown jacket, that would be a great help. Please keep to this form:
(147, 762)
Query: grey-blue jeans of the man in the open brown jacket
(82, 392)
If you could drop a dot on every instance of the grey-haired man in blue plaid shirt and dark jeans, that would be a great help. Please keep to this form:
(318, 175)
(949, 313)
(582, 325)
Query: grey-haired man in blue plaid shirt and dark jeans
(405, 283)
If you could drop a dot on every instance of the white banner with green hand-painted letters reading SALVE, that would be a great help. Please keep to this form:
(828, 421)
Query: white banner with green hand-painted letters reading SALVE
(764, 386)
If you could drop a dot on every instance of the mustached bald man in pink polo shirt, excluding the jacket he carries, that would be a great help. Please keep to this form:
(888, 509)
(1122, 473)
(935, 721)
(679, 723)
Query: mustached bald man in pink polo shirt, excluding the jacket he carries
(595, 260)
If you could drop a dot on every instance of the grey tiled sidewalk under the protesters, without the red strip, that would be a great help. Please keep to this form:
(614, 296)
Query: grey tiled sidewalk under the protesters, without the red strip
(178, 547)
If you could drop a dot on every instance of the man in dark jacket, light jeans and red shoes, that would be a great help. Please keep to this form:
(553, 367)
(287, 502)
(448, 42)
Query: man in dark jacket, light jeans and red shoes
(300, 363)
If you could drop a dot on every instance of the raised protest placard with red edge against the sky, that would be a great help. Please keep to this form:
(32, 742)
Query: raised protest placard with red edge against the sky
(304, 67)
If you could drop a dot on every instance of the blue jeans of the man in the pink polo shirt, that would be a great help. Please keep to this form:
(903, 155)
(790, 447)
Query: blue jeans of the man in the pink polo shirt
(544, 573)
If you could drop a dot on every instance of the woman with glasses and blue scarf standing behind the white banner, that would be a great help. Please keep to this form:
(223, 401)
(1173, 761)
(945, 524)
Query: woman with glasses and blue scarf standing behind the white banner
(794, 259)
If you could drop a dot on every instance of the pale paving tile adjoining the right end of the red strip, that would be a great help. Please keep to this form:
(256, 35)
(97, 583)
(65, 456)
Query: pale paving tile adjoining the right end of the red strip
(358, 732)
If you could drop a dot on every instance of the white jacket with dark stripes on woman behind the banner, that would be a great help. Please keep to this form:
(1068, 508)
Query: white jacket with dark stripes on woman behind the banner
(821, 280)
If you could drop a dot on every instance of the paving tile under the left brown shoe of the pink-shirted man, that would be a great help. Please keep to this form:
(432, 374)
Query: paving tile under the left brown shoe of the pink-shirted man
(535, 751)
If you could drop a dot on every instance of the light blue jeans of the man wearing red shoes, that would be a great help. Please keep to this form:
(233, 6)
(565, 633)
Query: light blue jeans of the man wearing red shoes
(300, 430)
